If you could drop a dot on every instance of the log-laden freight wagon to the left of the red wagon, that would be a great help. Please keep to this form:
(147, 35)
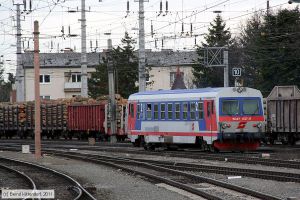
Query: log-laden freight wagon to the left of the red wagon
(19, 119)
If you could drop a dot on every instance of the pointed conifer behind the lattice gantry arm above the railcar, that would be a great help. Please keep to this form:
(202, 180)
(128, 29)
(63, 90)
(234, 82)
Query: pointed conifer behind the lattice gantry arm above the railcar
(218, 36)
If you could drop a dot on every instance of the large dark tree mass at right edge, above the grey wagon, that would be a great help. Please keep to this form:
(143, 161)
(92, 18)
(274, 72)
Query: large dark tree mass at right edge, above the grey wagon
(271, 49)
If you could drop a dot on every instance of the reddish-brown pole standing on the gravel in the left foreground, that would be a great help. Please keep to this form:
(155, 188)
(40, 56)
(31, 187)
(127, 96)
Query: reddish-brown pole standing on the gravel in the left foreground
(37, 114)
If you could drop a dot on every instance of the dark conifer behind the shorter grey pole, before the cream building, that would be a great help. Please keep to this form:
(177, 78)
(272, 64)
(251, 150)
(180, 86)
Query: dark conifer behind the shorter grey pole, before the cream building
(126, 71)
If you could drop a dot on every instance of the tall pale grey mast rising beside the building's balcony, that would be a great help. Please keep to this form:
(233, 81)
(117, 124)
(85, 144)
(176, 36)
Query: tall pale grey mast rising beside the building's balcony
(84, 86)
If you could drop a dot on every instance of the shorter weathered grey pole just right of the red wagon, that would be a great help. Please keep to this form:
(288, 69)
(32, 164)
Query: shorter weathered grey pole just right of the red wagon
(111, 88)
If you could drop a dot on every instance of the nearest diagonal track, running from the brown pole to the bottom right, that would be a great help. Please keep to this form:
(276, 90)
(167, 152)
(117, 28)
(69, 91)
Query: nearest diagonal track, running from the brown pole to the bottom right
(173, 177)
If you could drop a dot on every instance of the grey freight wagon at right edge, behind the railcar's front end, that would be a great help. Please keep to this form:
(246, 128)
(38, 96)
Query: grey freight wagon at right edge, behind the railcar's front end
(283, 114)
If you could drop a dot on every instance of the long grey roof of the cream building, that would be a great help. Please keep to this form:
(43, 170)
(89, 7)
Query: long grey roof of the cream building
(73, 60)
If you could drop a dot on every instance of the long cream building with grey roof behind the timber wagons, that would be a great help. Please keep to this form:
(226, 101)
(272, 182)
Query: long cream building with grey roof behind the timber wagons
(60, 72)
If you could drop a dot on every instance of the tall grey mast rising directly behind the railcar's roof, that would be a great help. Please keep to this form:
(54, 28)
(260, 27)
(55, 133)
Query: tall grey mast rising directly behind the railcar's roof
(142, 58)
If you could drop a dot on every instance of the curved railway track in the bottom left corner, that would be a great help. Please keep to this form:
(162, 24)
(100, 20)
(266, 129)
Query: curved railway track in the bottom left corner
(43, 178)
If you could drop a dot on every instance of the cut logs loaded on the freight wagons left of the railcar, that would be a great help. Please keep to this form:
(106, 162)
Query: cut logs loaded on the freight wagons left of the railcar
(54, 113)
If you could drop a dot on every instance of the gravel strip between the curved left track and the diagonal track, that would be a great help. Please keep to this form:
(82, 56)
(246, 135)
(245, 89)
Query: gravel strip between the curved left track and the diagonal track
(110, 184)
